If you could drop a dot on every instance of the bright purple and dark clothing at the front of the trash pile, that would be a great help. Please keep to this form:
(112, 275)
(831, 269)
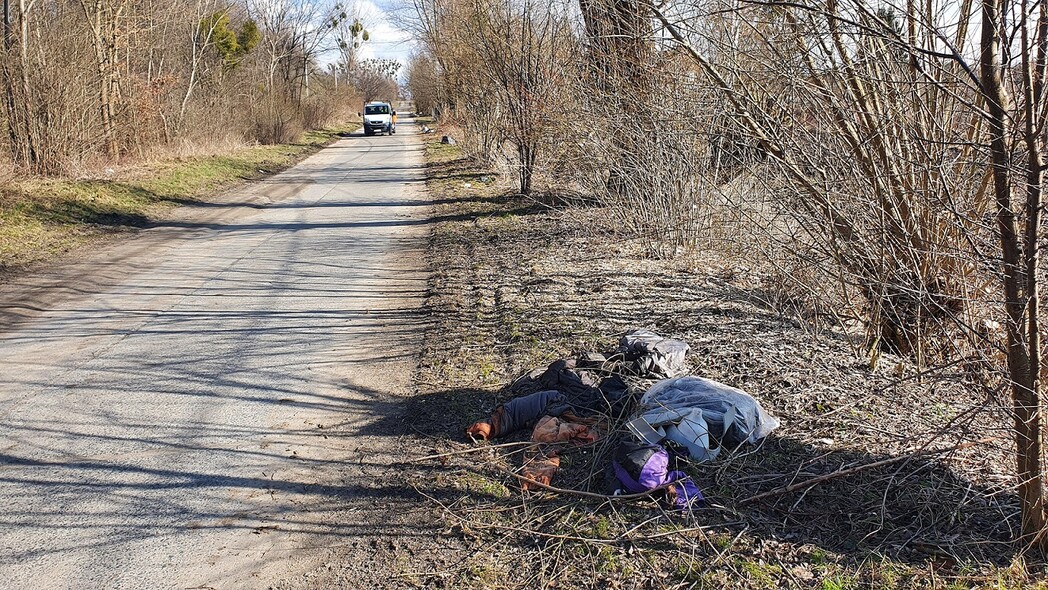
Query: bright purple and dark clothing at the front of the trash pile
(643, 468)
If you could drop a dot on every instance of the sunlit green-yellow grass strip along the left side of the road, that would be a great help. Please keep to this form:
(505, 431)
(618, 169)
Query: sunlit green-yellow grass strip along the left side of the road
(41, 218)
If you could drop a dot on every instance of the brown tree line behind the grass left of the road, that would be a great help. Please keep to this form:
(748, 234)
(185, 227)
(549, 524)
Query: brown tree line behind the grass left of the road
(98, 81)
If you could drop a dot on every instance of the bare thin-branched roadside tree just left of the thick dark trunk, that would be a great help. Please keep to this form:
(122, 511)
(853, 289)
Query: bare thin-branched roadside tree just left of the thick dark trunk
(506, 73)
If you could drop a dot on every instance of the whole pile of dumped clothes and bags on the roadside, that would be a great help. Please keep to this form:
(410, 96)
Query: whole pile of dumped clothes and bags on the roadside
(578, 402)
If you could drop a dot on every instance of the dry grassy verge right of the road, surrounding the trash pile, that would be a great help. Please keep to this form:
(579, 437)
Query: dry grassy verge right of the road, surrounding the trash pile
(518, 285)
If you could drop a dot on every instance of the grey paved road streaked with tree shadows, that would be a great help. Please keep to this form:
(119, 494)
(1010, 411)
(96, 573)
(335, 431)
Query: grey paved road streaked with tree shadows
(191, 407)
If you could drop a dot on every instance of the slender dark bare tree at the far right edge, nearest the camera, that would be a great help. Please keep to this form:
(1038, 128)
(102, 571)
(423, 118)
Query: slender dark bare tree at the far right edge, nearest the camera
(1017, 142)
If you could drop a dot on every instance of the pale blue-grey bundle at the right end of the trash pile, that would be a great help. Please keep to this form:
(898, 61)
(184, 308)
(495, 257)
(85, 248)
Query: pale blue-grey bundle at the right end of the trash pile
(703, 416)
